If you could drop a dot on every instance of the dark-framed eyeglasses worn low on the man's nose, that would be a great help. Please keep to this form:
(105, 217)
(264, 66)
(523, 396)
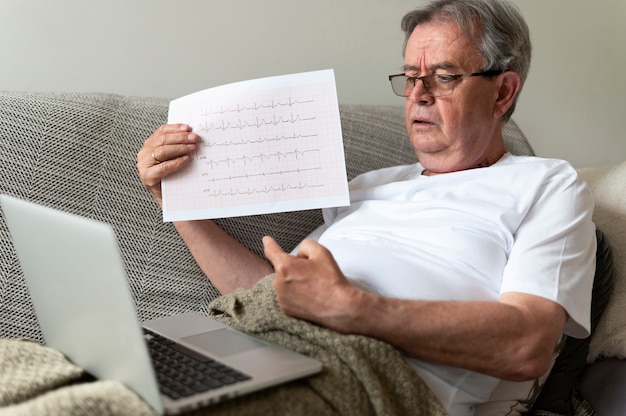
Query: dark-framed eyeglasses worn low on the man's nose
(436, 85)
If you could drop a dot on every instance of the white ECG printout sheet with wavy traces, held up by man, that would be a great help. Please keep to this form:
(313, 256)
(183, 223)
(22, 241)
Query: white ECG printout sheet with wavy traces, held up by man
(267, 145)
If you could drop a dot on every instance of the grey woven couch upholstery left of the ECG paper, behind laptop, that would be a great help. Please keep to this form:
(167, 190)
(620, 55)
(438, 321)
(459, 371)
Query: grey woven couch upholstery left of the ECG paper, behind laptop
(77, 153)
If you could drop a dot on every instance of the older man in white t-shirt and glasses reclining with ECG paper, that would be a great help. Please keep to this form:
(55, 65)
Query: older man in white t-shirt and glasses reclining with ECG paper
(475, 261)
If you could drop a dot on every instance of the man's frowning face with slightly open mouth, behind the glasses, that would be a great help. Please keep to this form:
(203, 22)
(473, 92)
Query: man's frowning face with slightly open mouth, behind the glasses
(458, 131)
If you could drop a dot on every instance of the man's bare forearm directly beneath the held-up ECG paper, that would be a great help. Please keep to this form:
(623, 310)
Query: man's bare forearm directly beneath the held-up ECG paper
(225, 261)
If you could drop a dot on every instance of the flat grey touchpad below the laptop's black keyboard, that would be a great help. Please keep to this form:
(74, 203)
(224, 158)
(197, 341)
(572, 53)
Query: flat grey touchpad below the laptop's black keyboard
(224, 342)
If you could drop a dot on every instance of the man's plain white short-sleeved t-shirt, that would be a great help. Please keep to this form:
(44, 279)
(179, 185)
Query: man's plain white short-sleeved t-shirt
(520, 225)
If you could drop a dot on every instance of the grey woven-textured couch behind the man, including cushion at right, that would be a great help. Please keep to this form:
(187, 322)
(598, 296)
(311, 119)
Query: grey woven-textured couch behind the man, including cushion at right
(77, 152)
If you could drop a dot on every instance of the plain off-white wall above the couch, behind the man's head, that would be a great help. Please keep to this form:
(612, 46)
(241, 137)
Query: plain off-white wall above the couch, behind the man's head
(573, 105)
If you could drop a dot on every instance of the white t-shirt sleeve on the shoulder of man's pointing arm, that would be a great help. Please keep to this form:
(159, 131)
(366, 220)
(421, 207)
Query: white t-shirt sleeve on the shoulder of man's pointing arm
(553, 254)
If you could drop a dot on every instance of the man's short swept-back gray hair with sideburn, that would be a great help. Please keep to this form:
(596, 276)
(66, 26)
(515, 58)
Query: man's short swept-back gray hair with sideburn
(497, 28)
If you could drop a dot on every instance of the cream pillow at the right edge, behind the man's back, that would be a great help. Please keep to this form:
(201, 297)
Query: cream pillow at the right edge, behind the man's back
(608, 186)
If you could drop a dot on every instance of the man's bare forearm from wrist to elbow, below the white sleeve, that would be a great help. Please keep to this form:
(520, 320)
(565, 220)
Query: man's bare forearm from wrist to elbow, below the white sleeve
(513, 339)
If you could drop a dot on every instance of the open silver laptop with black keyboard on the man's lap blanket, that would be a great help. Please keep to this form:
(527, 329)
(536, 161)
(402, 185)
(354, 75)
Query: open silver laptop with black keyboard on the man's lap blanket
(80, 292)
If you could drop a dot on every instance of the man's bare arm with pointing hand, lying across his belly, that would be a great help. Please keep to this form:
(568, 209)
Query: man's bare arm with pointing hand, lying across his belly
(513, 339)
